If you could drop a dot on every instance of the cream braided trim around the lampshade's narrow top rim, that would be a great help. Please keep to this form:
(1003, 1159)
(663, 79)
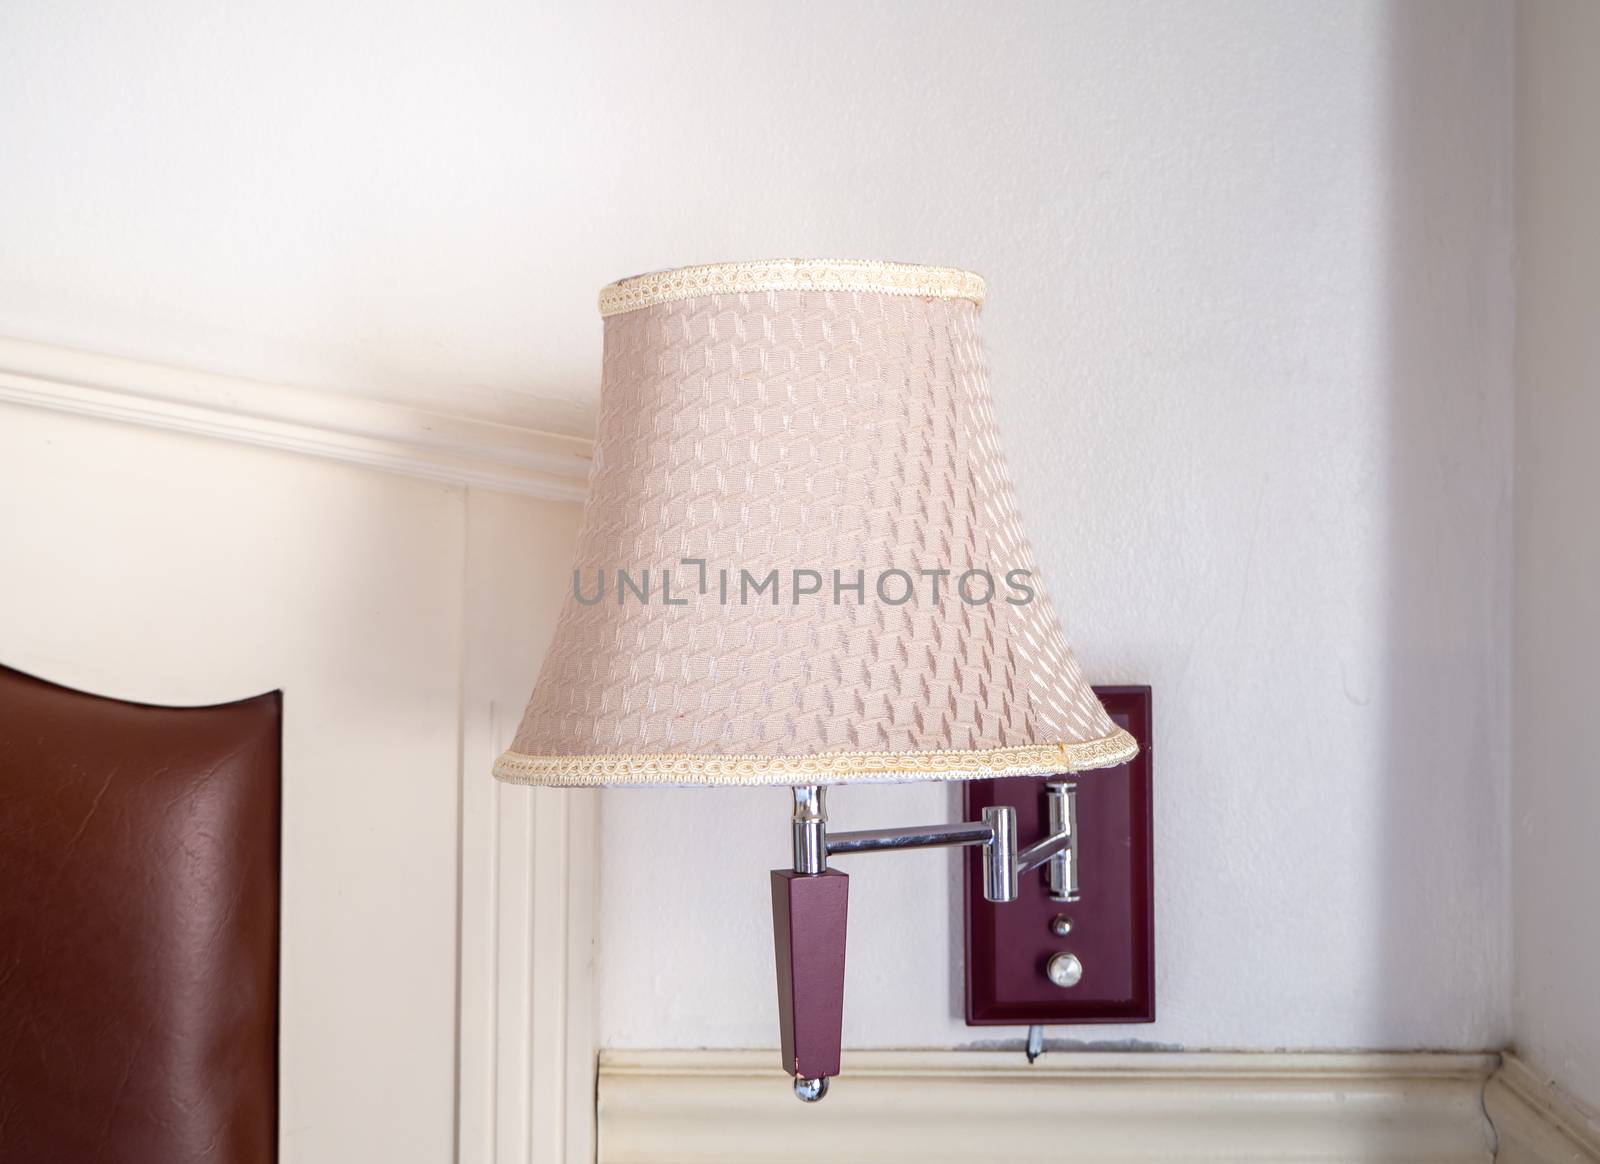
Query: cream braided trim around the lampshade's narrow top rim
(902, 279)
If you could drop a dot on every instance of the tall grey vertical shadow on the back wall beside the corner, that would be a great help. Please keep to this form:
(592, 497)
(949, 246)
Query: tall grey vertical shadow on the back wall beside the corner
(1446, 768)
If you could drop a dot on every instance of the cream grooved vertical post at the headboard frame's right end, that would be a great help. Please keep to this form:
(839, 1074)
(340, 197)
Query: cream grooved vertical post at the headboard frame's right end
(529, 877)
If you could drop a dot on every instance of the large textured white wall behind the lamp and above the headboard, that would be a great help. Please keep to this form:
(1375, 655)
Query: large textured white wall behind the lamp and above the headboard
(1250, 335)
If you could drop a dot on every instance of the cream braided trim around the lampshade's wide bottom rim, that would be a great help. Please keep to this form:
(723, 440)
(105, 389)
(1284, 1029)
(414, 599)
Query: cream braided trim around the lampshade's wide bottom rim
(823, 768)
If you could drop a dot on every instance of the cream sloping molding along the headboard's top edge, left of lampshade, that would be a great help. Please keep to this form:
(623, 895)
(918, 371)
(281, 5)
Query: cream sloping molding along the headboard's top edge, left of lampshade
(322, 425)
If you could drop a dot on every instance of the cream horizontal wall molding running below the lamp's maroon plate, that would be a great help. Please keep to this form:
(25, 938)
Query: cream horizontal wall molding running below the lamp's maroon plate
(721, 1107)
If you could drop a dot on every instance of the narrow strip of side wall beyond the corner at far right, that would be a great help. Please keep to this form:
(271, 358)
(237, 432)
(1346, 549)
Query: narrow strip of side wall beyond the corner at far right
(1558, 778)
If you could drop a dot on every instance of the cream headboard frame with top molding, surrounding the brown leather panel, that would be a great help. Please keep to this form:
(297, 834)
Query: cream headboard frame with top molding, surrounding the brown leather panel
(438, 933)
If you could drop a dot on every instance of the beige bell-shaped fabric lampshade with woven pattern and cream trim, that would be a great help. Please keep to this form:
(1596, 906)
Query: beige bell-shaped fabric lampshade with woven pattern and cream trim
(801, 559)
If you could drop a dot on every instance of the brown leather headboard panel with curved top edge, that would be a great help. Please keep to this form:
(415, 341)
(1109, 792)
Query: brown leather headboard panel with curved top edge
(138, 928)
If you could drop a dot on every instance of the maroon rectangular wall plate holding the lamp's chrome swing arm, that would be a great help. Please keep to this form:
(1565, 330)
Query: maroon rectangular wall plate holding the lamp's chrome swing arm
(1114, 923)
